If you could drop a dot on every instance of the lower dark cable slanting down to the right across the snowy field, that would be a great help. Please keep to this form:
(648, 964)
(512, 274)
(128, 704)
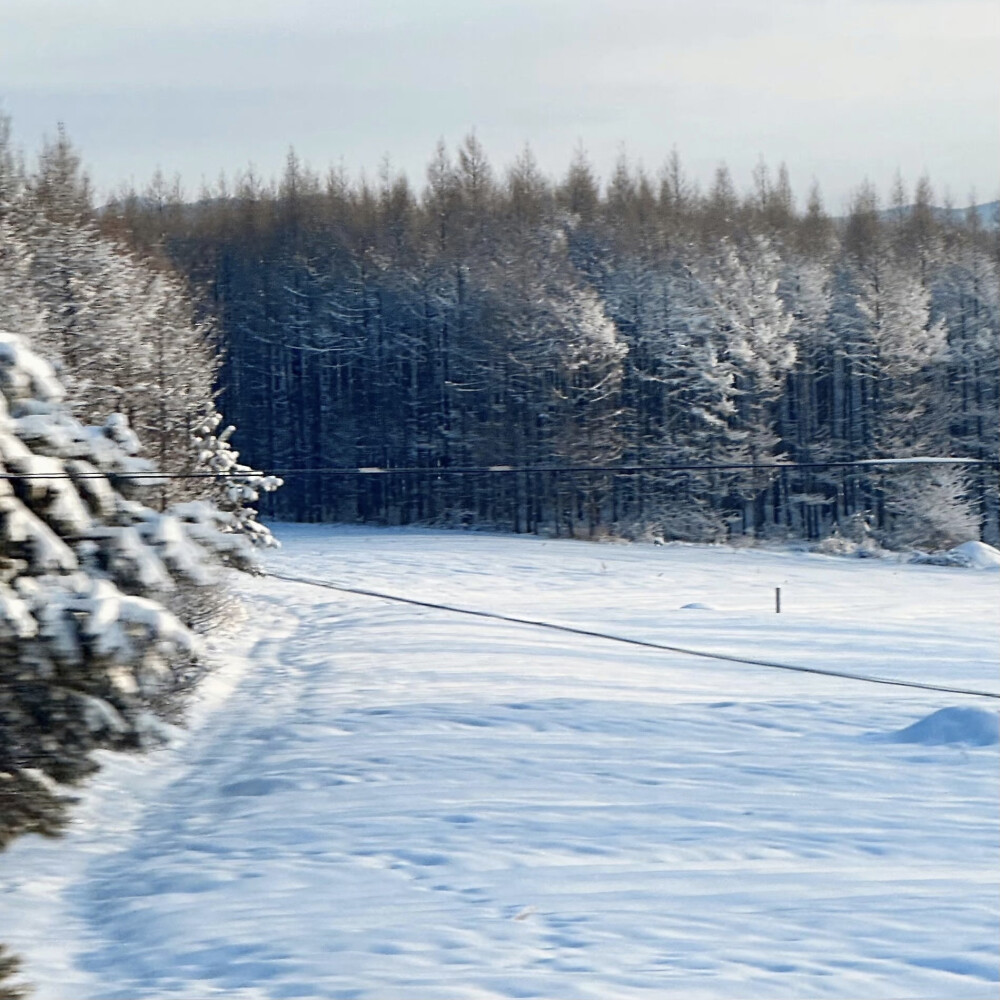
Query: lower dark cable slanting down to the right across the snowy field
(592, 634)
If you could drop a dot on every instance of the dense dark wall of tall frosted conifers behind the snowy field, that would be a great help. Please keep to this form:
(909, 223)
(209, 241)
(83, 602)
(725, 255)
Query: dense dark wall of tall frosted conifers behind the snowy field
(506, 319)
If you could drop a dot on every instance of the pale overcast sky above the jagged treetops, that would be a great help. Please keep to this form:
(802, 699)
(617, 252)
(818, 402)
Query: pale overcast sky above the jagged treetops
(841, 91)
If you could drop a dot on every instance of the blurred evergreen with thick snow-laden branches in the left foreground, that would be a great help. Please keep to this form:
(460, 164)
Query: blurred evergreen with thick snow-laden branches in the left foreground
(89, 653)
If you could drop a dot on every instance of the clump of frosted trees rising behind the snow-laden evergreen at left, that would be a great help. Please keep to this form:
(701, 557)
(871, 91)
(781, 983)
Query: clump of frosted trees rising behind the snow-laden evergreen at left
(121, 330)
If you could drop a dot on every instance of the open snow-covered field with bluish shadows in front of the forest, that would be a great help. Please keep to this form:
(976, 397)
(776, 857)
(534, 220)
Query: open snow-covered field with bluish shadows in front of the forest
(375, 800)
